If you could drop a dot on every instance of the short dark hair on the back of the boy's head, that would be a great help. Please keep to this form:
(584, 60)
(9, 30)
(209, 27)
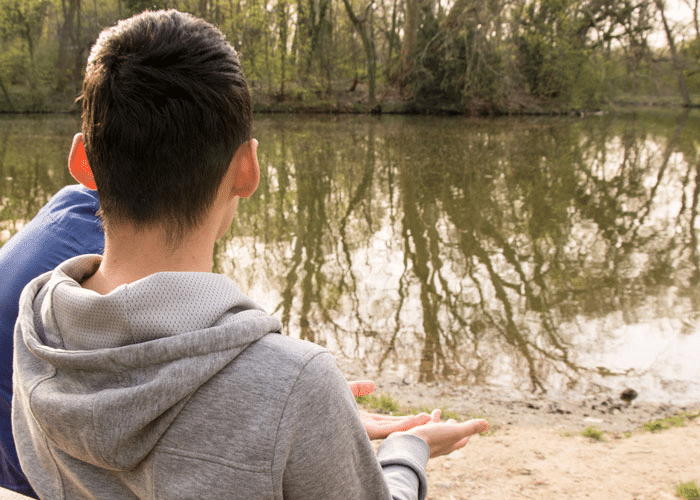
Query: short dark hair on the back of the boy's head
(165, 106)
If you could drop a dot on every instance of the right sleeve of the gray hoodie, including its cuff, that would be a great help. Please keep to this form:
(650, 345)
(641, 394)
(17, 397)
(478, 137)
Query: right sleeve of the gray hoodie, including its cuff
(322, 449)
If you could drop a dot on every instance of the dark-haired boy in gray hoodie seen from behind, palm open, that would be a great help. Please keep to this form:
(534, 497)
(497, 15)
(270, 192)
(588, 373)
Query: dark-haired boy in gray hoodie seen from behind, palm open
(140, 374)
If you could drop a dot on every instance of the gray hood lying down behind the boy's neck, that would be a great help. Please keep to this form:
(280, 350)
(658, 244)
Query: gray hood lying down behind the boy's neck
(104, 376)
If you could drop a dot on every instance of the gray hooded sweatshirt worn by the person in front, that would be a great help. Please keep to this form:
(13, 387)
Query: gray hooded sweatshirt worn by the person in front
(177, 386)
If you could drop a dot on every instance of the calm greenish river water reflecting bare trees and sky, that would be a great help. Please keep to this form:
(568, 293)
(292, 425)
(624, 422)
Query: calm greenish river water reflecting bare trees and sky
(545, 254)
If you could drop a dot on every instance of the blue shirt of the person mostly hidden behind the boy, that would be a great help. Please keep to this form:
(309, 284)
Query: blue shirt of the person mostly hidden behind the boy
(66, 226)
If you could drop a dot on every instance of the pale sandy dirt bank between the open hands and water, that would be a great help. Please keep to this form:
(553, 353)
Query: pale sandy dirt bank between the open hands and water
(536, 449)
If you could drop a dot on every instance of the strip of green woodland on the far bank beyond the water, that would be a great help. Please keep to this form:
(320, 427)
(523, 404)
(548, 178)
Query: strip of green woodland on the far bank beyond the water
(455, 56)
